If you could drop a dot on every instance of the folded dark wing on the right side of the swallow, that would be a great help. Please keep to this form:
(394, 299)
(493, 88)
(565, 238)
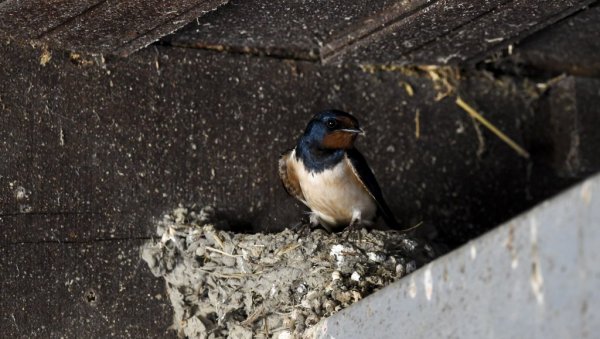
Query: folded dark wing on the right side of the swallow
(366, 176)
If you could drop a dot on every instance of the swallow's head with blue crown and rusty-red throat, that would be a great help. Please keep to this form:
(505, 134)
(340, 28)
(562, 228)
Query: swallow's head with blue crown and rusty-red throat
(332, 129)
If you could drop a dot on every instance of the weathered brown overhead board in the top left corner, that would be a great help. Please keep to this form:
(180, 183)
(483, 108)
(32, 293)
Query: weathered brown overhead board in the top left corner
(98, 26)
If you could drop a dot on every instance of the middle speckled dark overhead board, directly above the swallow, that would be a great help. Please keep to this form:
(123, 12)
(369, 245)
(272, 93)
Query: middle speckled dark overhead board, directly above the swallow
(295, 29)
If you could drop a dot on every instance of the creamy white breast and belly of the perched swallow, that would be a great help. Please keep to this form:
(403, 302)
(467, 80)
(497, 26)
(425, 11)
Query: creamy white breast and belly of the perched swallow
(335, 194)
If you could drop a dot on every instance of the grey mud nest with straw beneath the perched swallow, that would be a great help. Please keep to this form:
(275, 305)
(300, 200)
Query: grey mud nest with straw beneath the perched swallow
(278, 285)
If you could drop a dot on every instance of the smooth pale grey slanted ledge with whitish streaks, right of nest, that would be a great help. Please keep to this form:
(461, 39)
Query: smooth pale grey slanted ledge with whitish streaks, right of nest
(533, 277)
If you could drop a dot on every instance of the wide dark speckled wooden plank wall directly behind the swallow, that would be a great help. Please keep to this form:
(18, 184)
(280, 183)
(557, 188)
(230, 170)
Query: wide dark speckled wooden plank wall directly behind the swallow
(119, 143)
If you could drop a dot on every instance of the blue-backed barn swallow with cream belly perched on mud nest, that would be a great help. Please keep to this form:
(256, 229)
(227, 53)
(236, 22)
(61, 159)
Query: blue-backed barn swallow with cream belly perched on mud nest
(331, 177)
